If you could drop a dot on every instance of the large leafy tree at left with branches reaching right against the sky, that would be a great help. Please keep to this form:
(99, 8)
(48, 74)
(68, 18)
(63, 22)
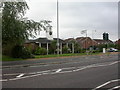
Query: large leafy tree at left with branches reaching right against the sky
(15, 27)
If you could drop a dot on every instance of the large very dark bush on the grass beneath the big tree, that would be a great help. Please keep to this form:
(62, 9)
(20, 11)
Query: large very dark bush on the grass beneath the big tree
(21, 52)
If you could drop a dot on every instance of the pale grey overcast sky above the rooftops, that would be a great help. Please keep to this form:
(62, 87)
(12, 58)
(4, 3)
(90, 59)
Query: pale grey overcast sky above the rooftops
(76, 16)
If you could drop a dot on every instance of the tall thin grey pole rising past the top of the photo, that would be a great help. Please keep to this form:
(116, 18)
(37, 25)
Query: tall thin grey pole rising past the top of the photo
(57, 29)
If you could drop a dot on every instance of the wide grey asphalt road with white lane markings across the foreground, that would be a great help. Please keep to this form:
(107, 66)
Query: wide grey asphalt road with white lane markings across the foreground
(93, 72)
